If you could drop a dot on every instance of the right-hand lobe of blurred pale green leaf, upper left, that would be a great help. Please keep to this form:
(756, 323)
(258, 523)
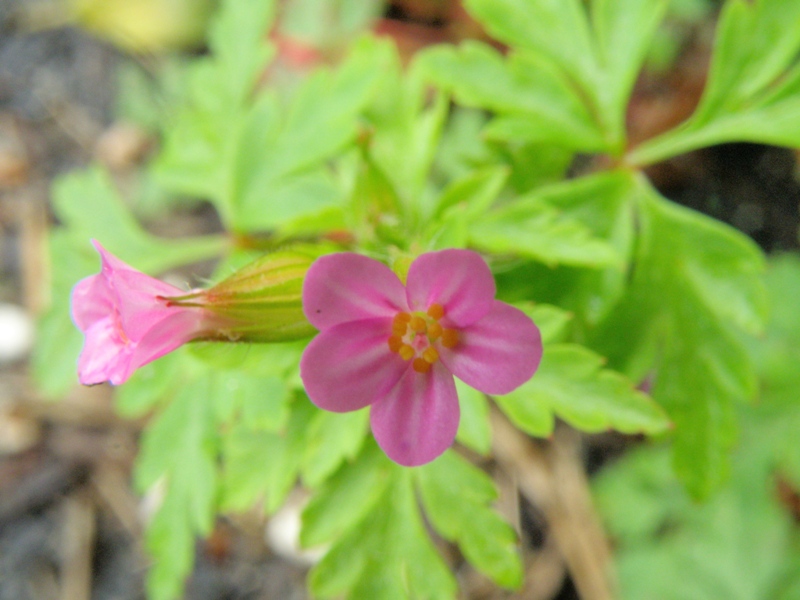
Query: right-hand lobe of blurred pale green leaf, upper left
(280, 171)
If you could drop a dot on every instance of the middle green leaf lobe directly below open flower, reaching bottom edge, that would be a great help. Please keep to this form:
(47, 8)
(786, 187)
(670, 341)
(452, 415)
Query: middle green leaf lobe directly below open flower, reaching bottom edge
(387, 553)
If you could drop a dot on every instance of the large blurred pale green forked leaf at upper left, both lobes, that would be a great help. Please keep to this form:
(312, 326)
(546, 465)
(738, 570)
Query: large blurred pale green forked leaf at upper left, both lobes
(261, 160)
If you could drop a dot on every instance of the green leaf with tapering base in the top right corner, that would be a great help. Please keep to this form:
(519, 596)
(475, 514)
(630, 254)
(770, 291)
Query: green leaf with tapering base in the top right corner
(750, 95)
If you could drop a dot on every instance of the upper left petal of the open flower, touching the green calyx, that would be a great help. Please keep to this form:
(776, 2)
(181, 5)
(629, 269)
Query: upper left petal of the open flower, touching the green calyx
(347, 287)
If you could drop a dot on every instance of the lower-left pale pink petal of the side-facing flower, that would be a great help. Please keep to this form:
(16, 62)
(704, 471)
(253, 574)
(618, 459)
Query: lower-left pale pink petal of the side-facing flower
(105, 356)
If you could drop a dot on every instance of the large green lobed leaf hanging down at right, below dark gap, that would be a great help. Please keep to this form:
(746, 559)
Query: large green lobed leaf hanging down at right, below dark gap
(696, 286)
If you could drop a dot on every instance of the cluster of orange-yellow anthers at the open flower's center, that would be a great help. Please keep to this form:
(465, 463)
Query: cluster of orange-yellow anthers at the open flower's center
(414, 336)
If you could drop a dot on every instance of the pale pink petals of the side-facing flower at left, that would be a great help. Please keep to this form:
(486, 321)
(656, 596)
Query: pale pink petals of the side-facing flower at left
(128, 321)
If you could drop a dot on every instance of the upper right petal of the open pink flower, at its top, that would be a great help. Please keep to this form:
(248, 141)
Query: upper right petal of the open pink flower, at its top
(459, 280)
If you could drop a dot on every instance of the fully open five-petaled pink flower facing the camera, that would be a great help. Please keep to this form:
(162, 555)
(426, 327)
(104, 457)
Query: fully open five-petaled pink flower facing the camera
(396, 348)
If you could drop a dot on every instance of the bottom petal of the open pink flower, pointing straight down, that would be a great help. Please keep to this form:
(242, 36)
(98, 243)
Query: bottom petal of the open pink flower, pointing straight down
(418, 419)
